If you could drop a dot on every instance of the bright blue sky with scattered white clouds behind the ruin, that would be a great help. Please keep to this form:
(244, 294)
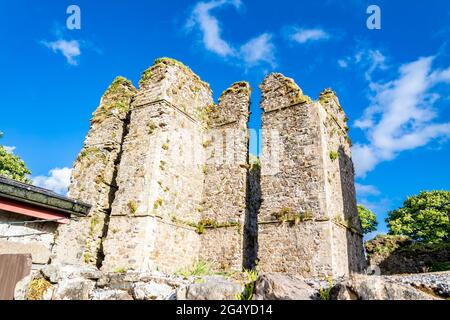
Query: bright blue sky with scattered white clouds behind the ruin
(393, 83)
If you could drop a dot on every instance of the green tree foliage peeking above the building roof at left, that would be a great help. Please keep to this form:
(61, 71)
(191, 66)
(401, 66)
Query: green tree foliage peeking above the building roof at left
(12, 167)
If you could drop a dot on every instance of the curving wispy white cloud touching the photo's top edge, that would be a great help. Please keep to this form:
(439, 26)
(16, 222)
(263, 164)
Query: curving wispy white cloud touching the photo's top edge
(210, 27)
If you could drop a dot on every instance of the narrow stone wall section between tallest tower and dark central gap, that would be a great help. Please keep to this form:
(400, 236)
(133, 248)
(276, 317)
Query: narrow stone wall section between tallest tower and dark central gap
(223, 207)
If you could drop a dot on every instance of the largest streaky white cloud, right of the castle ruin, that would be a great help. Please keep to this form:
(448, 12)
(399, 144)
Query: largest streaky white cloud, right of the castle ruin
(401, 115)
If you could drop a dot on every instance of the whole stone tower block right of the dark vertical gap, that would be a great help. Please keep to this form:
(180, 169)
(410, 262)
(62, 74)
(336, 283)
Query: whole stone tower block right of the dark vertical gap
(308, 221)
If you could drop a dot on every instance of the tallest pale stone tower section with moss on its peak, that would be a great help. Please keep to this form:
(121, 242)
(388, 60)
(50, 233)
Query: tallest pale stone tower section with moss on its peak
(160, 175)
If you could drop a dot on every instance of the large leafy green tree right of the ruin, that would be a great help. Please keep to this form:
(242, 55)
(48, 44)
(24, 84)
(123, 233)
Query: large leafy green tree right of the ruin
(424, 217)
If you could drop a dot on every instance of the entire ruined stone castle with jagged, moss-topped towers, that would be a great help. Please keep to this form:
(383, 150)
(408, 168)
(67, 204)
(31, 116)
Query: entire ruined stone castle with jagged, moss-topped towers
(168, 175)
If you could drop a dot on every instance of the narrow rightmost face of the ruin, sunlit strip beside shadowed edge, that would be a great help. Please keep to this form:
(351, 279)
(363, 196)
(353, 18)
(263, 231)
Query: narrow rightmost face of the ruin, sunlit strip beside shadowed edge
(348, 252)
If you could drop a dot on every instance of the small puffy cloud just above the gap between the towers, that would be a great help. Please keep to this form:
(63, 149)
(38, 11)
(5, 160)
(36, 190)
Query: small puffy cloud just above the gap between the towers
(259, 49)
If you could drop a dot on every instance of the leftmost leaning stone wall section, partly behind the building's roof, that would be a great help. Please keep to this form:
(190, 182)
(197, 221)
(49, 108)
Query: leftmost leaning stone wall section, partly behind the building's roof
(93, 177)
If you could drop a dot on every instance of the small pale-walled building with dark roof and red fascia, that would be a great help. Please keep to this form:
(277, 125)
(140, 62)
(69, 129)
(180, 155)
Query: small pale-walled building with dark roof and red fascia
(29, 218)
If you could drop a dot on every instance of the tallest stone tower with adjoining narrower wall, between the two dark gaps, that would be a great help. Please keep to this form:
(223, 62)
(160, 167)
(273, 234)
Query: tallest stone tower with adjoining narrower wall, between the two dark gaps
(180, 199)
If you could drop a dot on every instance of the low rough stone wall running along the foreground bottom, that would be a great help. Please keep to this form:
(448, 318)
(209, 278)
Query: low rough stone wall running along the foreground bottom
(68, 282)
